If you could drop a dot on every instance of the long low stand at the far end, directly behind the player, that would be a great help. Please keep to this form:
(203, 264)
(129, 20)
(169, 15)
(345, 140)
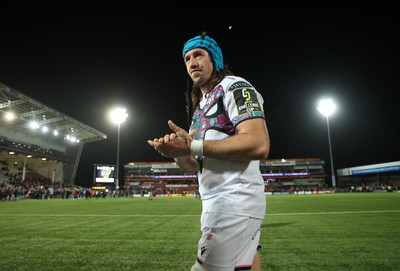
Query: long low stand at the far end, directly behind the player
(280, 176)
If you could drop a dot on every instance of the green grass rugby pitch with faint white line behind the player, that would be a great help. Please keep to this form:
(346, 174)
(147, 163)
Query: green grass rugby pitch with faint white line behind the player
(349, 231)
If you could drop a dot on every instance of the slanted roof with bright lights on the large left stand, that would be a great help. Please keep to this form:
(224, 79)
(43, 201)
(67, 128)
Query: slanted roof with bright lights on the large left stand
(30, 114)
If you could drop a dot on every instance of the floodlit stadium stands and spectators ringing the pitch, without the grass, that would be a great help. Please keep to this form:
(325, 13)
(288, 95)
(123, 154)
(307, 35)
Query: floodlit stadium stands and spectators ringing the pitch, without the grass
(39, 144)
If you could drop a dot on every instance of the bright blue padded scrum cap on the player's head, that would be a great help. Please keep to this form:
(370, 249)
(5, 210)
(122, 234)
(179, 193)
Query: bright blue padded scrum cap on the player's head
(207, 44)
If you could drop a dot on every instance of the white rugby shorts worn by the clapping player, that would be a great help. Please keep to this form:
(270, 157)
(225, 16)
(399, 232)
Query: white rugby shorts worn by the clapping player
(228, 242)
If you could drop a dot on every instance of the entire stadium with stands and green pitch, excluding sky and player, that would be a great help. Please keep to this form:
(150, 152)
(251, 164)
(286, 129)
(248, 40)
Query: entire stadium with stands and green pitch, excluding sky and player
(50, 223)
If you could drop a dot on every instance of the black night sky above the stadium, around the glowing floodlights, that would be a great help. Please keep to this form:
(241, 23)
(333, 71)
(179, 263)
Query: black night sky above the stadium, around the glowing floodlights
(82, 60)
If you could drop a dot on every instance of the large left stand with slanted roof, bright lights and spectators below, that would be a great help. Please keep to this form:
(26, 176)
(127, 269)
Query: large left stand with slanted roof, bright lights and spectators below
(54, 155)
